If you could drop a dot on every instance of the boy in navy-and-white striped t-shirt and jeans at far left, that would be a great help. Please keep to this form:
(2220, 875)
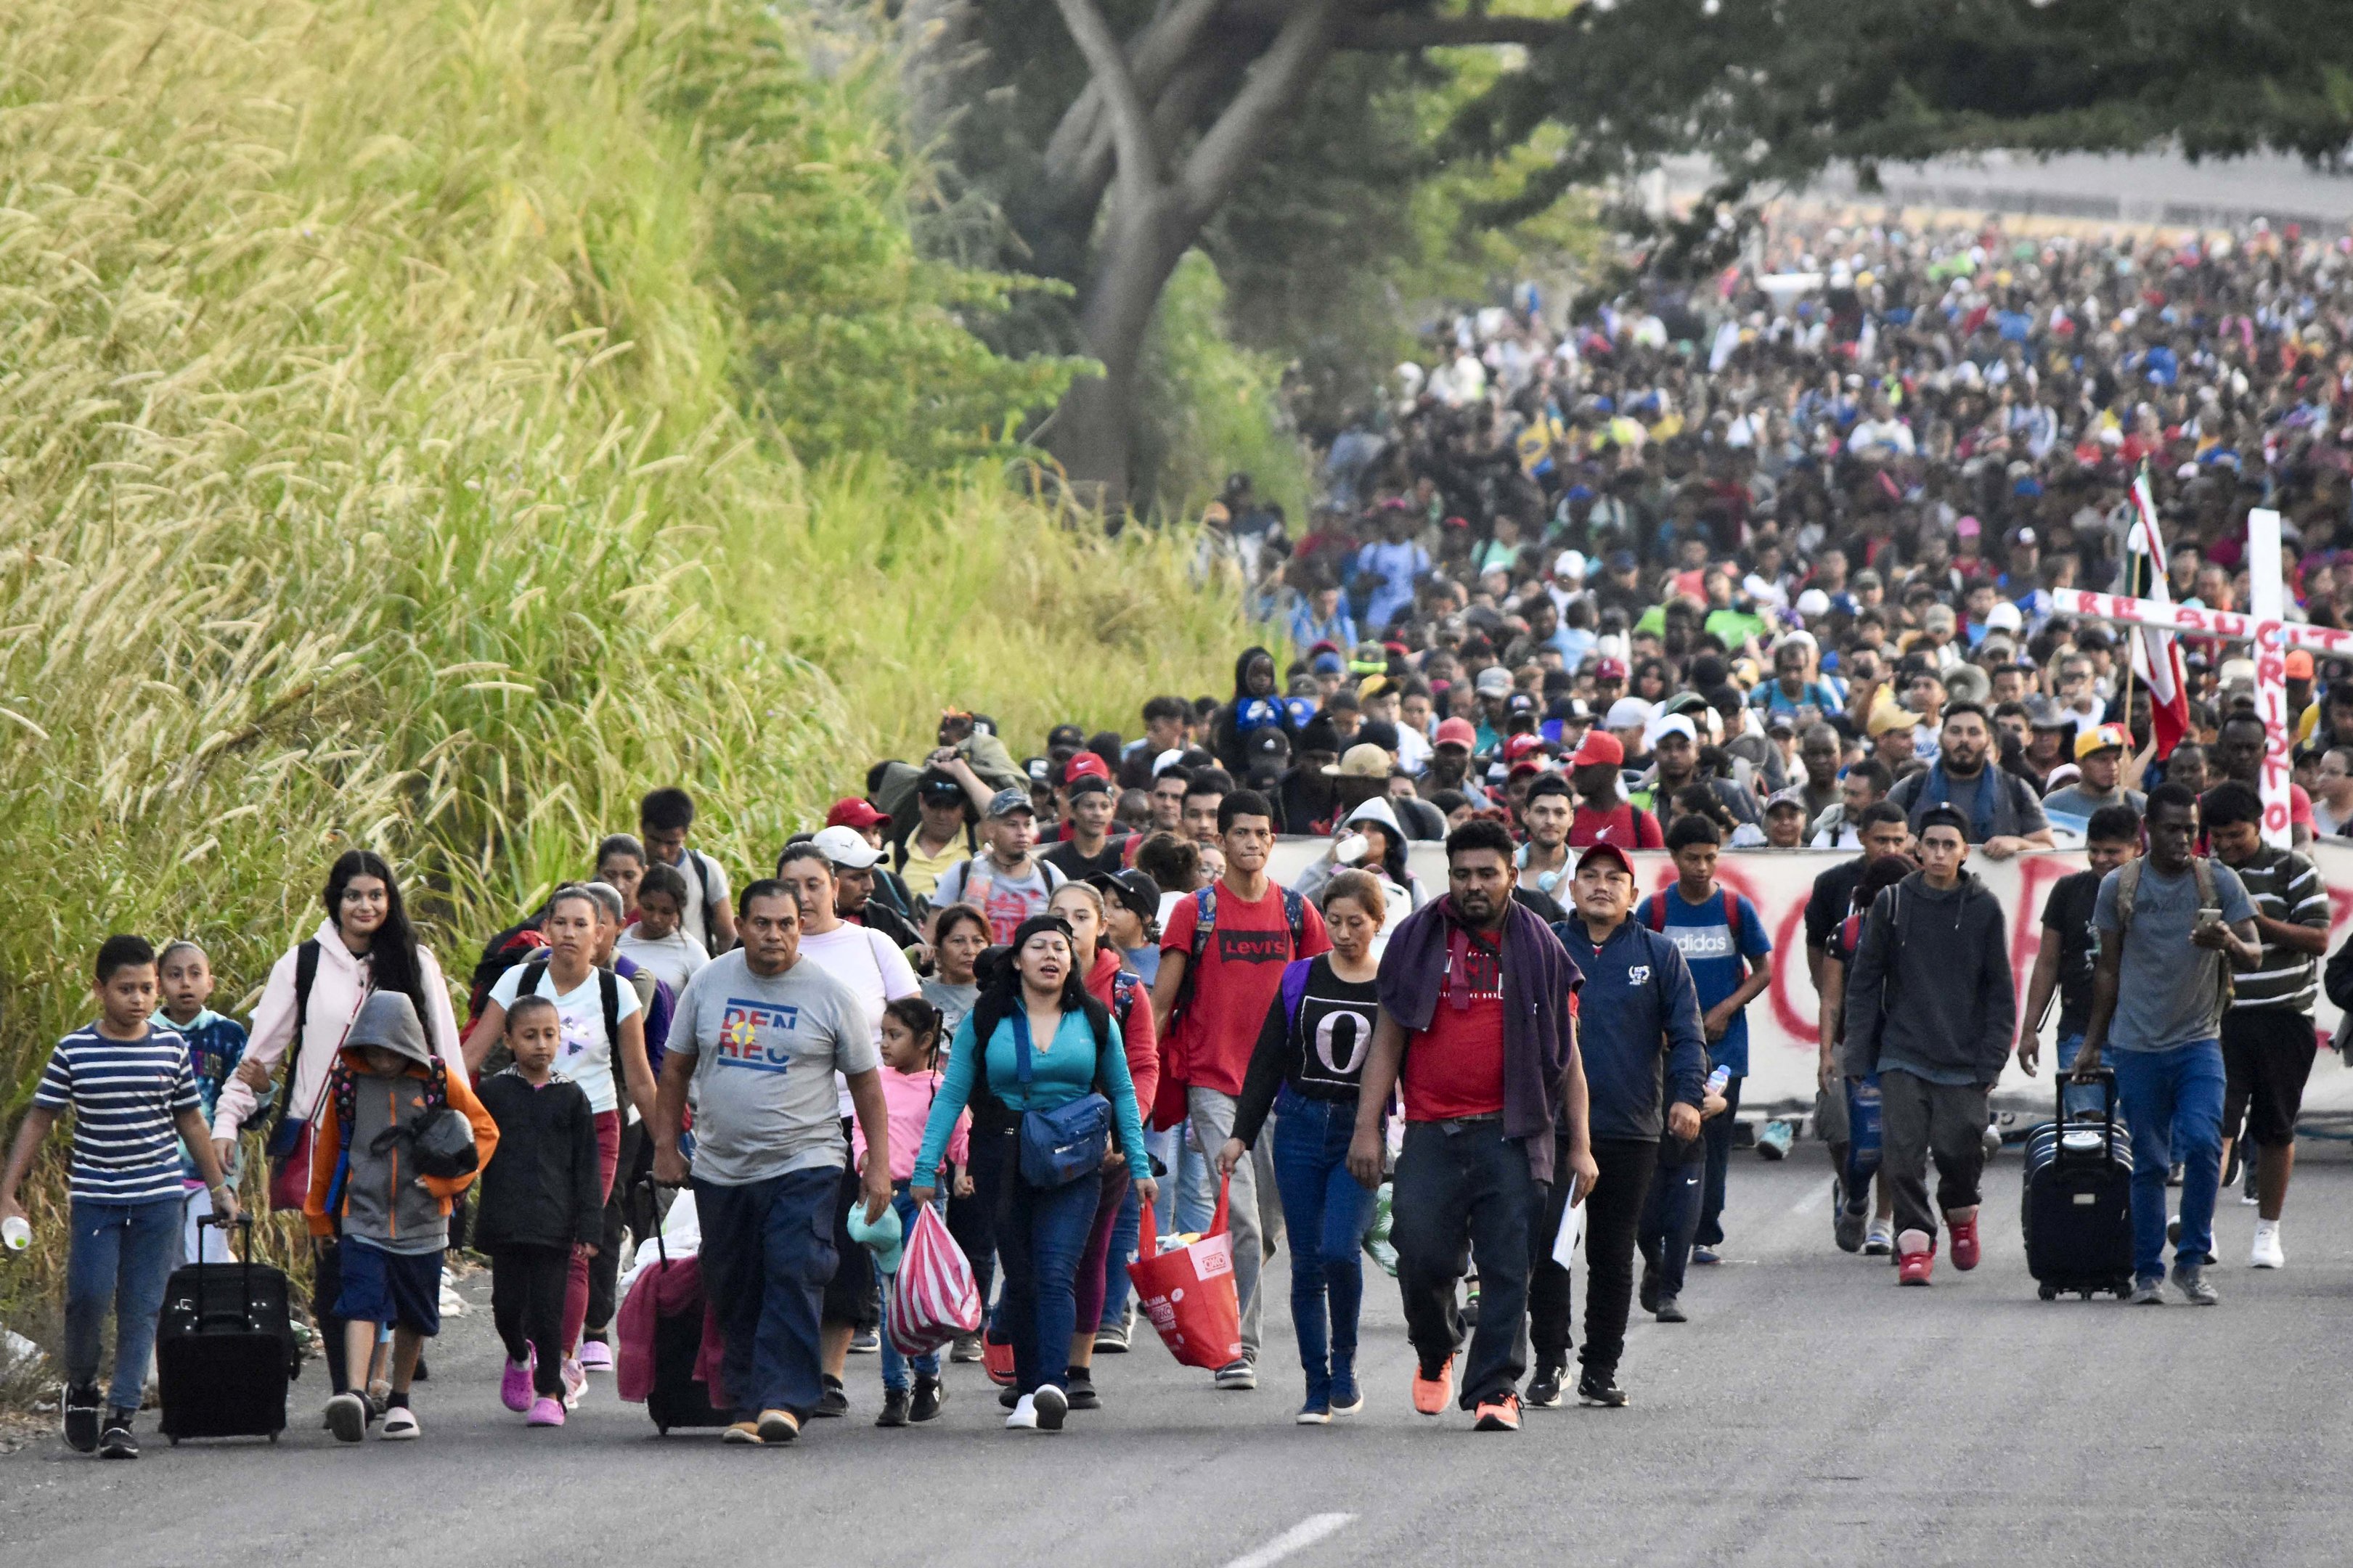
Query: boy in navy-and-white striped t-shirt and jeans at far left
(133, 1098)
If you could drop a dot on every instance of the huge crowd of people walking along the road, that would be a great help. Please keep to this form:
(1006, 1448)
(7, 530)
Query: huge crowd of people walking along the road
(1761, 566)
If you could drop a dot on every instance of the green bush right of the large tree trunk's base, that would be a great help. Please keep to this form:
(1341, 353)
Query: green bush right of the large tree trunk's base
(1213, 406)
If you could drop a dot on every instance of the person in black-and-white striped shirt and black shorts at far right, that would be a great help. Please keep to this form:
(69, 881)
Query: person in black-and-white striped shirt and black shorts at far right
(2267, 1037)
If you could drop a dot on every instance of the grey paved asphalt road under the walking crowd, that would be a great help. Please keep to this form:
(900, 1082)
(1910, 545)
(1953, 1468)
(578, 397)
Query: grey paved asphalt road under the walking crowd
(1811, 1414)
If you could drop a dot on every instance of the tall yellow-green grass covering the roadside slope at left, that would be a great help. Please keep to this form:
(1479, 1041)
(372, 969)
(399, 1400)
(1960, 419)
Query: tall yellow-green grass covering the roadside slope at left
(420, 427)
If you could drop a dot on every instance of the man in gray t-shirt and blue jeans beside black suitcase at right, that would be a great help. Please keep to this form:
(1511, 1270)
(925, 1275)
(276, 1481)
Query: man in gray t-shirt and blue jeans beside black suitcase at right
(2157, 997)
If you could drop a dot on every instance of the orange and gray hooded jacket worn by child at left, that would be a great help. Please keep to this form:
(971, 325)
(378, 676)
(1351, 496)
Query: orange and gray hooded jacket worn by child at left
(364, 1176)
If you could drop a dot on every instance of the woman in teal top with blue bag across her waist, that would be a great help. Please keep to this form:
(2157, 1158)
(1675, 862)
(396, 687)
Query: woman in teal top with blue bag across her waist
(1041, 1230)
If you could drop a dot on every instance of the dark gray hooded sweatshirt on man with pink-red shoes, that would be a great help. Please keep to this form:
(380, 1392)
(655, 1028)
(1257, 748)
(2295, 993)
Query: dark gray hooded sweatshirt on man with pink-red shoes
(1931, 988)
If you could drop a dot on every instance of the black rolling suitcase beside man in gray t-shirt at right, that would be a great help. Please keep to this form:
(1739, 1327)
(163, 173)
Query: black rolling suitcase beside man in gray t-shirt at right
(2079, 1202)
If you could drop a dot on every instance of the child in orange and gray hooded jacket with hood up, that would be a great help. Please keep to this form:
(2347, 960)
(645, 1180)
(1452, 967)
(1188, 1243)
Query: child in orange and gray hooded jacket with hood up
(385, 1178)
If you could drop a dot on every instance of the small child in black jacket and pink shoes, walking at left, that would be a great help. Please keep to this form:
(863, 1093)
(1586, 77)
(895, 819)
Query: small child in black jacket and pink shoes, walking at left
(542, 1204)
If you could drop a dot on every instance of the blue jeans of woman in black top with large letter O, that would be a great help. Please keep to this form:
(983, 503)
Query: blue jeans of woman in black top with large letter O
(1326, 1211)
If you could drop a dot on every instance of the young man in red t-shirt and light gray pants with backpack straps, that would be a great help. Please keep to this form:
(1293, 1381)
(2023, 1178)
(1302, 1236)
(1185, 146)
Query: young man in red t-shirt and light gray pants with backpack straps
(1211, 1002)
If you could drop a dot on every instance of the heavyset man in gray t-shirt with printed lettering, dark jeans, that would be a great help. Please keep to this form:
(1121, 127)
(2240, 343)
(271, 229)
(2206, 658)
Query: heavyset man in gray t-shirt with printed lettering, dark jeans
(759, 1037)
